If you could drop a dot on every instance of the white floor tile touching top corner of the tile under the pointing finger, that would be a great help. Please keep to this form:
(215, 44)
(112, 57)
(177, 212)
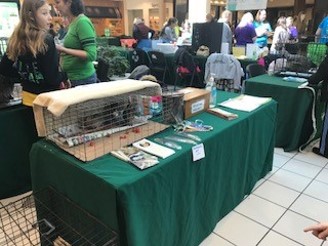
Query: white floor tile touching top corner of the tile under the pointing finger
(277, 194)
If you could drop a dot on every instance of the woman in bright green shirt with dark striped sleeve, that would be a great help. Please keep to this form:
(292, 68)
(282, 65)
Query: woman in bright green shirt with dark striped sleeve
(79, 48)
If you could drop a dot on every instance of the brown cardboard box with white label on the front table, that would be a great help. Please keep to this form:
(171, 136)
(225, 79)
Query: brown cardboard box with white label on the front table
(195, 101)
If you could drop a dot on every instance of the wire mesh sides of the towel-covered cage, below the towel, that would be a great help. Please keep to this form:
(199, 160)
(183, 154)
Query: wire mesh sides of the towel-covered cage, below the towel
(93, 128)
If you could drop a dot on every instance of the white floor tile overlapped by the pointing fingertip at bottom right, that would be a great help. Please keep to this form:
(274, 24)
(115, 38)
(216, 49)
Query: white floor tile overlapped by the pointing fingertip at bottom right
(291, 225)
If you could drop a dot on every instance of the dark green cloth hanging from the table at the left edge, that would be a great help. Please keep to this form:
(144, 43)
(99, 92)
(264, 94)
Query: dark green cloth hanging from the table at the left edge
(18, 133)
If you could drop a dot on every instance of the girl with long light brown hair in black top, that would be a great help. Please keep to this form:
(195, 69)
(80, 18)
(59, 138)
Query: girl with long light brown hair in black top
(31, 54)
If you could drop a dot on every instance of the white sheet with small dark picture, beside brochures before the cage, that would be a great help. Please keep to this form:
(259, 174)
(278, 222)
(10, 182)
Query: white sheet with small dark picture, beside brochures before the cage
(153, 148)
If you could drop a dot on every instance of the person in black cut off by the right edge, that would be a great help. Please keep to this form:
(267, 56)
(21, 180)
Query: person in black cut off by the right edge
(322, 75)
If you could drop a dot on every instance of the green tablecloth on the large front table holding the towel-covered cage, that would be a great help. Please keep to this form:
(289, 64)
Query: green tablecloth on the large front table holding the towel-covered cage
(178, 201)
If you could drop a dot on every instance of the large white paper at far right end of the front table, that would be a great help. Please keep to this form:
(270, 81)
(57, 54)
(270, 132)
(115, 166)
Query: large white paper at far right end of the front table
(245, 102)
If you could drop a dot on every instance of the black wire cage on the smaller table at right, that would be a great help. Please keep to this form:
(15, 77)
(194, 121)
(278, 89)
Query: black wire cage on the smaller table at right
(297, 59)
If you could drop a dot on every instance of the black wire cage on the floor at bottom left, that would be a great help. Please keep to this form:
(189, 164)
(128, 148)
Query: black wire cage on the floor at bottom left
(49, 218)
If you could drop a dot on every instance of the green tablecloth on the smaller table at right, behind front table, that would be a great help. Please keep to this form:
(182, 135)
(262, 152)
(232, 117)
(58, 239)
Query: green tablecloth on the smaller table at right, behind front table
(295, 125)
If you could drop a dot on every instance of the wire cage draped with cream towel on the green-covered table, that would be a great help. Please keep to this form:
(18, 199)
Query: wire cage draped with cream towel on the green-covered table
(94, 127)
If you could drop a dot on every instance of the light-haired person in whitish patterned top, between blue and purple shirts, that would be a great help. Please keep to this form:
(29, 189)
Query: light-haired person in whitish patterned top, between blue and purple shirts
(280, 36)
